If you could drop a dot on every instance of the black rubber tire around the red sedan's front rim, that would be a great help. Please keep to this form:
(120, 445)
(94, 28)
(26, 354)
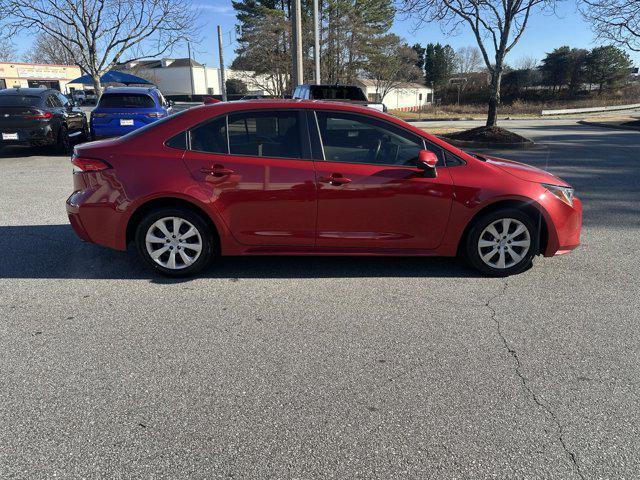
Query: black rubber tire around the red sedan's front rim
(473, 250)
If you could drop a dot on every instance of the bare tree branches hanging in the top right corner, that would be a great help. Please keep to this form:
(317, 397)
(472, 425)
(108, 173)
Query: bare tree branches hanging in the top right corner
(616, 21)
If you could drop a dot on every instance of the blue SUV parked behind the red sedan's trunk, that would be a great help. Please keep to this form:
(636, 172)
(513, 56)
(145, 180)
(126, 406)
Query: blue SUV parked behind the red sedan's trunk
(124, 109)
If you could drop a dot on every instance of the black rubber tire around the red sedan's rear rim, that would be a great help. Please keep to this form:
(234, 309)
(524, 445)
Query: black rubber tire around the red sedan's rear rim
(206, 237)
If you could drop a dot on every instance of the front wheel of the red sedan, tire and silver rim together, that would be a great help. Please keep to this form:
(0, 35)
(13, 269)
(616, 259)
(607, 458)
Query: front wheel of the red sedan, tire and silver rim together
(503, 242)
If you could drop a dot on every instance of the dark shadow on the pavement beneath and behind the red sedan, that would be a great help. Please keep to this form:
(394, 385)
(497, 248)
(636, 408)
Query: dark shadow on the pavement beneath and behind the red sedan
(54, 251)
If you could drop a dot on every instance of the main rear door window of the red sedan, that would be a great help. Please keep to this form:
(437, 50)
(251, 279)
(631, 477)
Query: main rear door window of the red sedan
(265, 134)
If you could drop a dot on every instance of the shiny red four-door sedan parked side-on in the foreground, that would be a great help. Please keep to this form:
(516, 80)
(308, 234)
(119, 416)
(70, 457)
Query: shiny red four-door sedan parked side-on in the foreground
(297, 177)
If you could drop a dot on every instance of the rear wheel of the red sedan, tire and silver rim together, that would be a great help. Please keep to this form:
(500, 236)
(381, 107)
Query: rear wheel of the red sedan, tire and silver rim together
(175, 241)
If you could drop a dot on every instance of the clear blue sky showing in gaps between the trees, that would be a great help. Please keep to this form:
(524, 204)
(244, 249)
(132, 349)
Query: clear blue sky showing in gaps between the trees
(543, 34)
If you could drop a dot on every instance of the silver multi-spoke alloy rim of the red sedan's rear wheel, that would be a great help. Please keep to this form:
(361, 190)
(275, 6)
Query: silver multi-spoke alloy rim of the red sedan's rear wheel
(173, 243)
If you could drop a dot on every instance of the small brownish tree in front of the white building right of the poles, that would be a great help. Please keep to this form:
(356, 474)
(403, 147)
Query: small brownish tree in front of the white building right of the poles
(391, 64)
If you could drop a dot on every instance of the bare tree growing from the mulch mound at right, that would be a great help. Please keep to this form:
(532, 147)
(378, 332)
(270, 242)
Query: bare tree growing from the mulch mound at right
(497, 26)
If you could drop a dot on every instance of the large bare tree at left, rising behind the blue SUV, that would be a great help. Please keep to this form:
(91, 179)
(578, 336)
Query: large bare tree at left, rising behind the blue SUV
(97, 33)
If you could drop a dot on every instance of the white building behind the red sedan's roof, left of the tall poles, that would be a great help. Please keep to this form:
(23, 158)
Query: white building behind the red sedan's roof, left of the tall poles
(182, 76)
